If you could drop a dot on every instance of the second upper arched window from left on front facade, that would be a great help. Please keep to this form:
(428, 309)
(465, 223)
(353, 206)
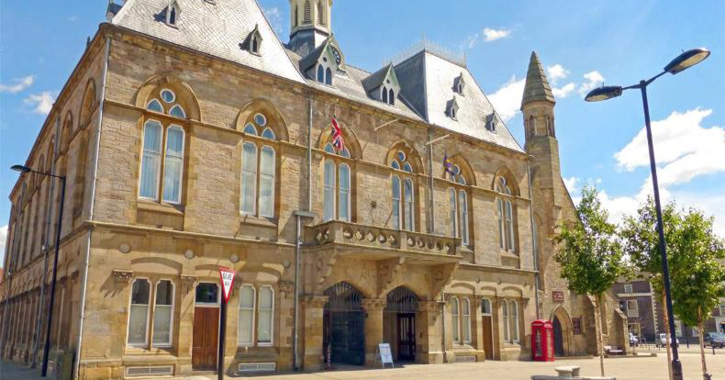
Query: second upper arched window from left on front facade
(259, 168)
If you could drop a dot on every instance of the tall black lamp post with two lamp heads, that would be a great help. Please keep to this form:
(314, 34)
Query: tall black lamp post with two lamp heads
(682, 62)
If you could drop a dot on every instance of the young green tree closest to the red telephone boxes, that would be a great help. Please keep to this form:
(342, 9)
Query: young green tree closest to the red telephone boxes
(590, 254)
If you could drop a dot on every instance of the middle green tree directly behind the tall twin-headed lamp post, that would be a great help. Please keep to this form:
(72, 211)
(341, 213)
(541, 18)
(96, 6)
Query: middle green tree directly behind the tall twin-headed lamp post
(642, 247)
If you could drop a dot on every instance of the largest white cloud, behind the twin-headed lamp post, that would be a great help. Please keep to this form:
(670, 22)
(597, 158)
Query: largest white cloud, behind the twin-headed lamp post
(683, 147)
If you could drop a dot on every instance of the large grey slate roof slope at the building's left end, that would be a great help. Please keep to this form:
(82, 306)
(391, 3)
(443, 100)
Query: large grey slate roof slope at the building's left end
(216, 29)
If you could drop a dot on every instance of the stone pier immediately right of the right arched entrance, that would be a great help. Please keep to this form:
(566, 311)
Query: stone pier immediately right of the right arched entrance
(428, 330)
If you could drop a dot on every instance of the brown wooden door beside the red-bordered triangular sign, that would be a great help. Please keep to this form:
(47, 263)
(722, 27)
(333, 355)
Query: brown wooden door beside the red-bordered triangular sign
(205, 343)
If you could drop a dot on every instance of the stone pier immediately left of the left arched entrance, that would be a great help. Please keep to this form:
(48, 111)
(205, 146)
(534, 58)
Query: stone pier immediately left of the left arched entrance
(311, 326)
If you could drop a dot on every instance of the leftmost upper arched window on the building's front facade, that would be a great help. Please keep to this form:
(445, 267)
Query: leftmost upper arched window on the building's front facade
(163, 149)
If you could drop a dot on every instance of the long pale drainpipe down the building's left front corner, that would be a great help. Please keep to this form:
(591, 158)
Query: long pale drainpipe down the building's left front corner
(84, 287)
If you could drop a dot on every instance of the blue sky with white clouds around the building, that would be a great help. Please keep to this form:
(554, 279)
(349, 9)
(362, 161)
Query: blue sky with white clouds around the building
(582, 45)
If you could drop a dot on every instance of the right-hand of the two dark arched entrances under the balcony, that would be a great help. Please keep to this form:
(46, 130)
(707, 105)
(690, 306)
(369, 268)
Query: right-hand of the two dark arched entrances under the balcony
(399, 322)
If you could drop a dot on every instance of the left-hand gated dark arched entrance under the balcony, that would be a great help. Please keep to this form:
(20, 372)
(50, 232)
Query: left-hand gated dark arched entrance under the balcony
(344, 325)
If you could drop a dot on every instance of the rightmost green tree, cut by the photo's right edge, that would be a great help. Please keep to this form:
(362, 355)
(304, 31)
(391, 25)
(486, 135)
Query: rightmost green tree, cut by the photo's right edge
(698, 279)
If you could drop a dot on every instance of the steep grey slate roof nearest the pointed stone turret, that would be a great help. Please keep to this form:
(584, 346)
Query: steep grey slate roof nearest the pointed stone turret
(427, 81)
